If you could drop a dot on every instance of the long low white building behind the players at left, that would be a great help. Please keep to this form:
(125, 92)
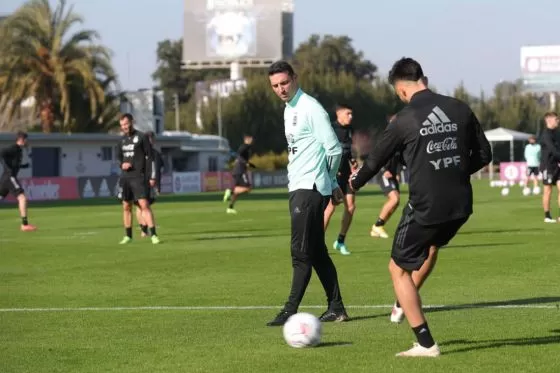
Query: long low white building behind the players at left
(85, 154)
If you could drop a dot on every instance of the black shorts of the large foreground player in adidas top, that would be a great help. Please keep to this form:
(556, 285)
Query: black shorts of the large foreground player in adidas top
(412, 240)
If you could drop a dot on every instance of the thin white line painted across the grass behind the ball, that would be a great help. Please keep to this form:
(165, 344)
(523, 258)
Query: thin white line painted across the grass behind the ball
(233, 308)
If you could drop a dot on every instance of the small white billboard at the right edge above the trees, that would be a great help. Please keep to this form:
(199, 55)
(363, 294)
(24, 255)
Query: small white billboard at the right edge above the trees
(540, 68)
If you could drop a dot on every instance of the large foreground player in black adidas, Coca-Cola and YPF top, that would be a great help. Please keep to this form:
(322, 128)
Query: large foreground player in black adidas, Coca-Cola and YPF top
(442, 144)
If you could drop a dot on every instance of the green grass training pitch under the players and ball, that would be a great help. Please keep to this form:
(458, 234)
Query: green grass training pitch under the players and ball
(72, 300)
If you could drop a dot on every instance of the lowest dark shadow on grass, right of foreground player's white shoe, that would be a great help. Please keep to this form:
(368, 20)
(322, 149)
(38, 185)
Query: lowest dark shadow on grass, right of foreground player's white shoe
(474, 345)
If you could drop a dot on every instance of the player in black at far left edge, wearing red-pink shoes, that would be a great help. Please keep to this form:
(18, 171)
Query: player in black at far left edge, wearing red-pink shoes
(11, 162)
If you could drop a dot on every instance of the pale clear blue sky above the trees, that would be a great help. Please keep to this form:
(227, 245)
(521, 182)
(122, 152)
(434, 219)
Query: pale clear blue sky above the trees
(475, 41)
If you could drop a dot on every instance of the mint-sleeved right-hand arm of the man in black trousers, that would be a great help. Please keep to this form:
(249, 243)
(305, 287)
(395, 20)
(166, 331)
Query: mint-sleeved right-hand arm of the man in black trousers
(322, 130)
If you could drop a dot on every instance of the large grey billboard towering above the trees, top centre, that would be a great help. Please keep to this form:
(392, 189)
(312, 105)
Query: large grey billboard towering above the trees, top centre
(250, 32)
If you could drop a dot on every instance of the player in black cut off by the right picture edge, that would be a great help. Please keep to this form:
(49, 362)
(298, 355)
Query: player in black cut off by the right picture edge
(550, 163)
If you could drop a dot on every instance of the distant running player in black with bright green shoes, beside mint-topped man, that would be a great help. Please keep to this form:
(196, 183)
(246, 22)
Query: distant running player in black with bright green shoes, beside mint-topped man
(240, 174)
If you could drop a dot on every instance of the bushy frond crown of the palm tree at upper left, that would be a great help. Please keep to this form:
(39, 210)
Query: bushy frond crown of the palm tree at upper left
(39, 60)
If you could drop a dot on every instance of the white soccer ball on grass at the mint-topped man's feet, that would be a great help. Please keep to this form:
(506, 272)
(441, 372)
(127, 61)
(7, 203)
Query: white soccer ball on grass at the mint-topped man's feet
(302, 330)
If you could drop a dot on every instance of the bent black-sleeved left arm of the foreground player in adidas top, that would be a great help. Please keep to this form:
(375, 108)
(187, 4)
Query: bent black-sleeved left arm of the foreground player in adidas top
(390, 142)
